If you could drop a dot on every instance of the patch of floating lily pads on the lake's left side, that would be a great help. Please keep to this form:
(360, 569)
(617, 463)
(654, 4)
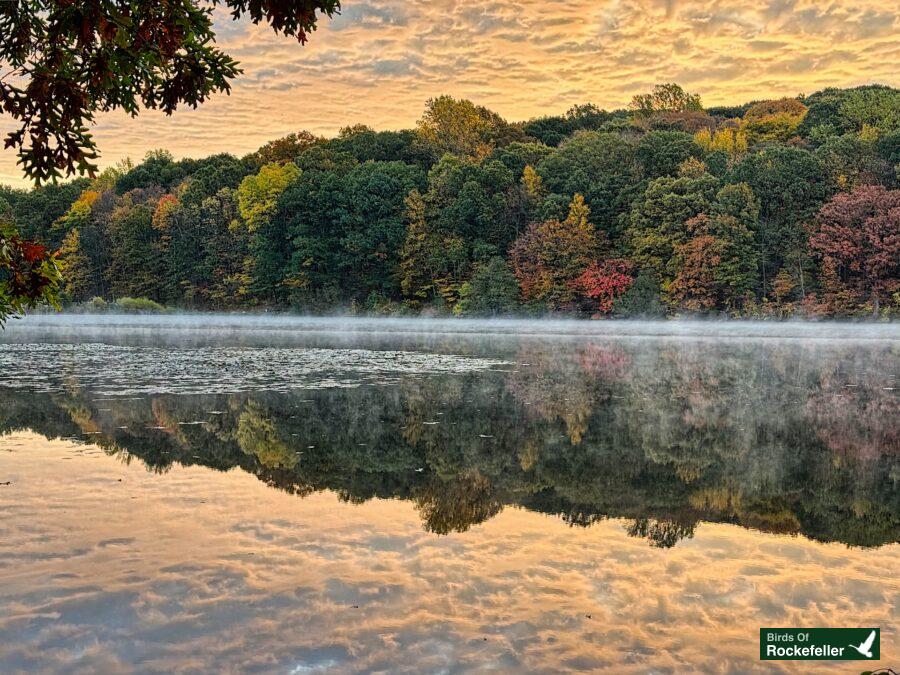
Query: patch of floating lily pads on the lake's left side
(115, 370)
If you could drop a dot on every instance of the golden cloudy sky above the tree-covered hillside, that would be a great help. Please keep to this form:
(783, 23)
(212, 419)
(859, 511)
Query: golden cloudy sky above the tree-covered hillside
(380, 60)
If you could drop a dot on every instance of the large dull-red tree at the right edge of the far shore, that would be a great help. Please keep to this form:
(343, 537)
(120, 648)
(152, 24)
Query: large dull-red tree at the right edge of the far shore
(856, 236)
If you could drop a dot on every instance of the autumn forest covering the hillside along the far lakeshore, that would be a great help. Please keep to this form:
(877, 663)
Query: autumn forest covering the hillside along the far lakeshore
(774, 208)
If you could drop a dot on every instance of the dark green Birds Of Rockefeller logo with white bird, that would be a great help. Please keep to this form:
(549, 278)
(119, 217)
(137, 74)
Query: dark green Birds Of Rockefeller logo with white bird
(819, 644)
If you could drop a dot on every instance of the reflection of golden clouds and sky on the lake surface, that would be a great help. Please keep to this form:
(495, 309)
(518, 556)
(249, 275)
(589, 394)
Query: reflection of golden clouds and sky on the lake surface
(261, 580)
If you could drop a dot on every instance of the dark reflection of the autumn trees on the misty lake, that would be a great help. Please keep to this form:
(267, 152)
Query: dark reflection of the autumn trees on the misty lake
(782, 437)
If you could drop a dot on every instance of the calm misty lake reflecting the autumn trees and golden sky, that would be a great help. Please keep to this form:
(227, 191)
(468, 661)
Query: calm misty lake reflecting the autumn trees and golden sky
(292, 495)
